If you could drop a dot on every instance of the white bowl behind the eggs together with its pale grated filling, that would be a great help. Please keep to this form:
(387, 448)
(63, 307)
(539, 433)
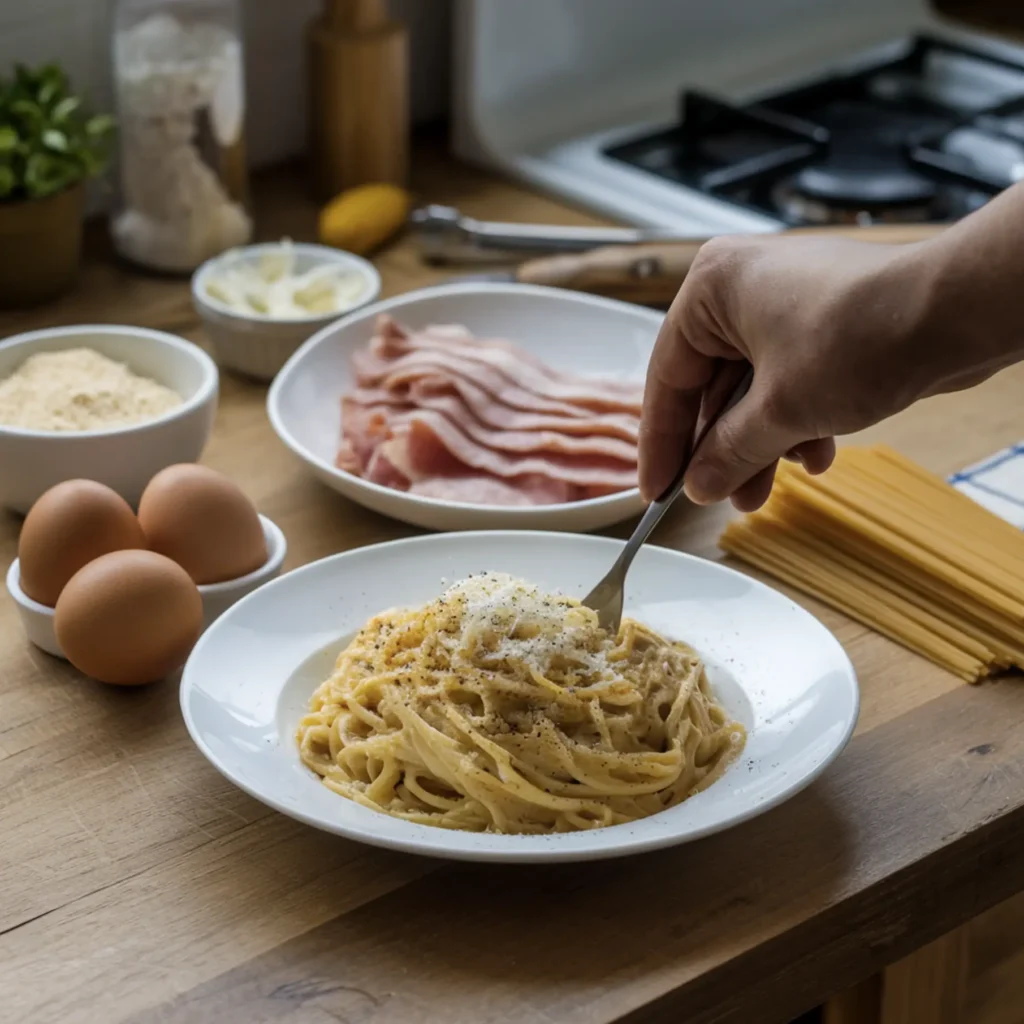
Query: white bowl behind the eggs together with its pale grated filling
(110, 404)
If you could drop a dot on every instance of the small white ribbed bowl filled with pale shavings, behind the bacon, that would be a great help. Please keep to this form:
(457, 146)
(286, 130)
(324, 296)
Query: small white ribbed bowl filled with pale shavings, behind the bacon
(261, 303)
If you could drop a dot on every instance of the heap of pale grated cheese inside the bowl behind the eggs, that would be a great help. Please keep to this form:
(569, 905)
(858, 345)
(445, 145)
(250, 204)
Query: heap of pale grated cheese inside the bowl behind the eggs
(79, 390)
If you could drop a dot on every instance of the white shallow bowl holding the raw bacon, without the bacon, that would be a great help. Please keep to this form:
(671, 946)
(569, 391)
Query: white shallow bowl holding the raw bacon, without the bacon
(569, 330)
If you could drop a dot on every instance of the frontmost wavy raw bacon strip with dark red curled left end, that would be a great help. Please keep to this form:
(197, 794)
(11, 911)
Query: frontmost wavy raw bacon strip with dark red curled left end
(435, 446)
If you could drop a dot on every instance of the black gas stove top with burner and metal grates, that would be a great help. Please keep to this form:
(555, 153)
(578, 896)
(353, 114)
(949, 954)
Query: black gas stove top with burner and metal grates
(927, 136)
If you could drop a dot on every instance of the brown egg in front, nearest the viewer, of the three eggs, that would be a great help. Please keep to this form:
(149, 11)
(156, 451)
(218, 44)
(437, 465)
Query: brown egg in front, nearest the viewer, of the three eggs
(129, 618)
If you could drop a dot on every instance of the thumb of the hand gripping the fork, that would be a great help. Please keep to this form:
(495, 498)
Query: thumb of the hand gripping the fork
(746, 441)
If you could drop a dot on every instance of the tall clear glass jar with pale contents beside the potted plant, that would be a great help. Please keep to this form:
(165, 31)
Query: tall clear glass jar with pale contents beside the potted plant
(180, 76)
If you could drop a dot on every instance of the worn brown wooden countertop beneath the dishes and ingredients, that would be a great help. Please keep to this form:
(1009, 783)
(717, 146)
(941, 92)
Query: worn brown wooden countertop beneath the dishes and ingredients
(138, 885)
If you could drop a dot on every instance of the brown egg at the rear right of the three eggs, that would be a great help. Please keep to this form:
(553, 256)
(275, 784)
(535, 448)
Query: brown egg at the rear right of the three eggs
(204, 523)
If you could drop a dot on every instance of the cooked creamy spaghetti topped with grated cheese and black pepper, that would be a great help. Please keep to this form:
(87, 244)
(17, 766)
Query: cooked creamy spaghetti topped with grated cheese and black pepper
(499, 708)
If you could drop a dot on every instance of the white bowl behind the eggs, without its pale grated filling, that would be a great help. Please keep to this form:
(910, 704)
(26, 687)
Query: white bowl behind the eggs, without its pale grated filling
(124, 458)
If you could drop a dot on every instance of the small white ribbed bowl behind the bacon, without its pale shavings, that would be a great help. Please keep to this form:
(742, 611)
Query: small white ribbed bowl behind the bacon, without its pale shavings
(260, 347)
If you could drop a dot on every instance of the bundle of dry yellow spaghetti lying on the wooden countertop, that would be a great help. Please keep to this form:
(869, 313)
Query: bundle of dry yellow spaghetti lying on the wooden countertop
(899, 549)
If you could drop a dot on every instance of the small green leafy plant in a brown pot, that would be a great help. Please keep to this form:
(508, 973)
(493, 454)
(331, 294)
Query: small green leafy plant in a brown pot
(50, 148)
